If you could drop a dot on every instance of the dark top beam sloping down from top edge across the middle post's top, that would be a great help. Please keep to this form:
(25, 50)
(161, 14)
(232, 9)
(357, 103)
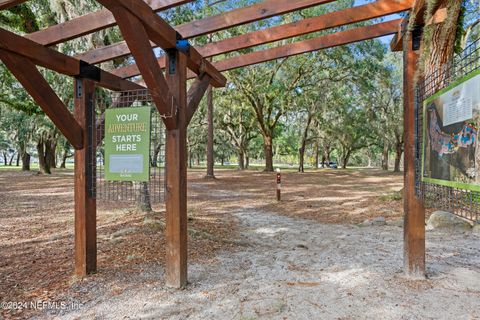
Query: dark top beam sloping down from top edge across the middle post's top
(164, 36)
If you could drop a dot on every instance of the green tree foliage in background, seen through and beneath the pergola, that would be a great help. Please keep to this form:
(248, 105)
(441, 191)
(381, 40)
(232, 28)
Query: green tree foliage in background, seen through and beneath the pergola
(345, 101)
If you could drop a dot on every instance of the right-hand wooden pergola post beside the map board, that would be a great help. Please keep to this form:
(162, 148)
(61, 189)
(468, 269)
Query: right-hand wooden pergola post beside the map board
(414, 212)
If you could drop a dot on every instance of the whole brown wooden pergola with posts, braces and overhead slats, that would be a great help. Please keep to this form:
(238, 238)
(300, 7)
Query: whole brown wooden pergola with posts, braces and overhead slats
(143, 30)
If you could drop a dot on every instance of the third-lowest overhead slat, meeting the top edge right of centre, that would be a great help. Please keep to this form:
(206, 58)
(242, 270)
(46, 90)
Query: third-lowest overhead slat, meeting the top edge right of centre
(266, 9)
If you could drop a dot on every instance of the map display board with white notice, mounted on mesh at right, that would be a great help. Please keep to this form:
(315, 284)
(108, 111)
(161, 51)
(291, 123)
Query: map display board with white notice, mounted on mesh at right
(451, 151)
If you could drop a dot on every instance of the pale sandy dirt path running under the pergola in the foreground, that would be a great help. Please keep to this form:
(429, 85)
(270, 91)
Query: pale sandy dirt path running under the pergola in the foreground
(299, 269)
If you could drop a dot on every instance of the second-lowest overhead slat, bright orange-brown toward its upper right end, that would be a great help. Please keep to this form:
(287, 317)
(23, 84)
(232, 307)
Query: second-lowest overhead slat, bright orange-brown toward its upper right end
(326, 21)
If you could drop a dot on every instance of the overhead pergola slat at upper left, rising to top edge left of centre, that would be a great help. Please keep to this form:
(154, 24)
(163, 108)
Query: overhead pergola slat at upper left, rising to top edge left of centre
(90, 23)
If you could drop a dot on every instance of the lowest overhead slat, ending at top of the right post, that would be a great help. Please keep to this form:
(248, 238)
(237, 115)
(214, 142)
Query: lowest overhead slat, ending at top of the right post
(315, 44)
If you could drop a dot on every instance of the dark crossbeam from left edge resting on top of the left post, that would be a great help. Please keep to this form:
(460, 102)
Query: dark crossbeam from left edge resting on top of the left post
(60, 62)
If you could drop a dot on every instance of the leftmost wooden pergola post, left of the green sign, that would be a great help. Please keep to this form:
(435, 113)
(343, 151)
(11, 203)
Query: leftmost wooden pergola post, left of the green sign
(85, 202)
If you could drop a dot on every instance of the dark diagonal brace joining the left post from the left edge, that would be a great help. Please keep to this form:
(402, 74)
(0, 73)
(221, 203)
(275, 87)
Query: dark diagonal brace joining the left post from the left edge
(35, 84)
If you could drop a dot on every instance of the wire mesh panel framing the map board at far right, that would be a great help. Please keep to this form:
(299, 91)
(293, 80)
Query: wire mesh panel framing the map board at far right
(464, 203)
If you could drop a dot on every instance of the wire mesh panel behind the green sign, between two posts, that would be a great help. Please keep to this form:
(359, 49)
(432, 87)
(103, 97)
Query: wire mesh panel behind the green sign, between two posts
(127, 191)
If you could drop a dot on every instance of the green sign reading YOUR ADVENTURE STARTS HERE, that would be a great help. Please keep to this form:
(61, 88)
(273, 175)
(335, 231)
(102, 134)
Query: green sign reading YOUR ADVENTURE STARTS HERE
(127, 144)
